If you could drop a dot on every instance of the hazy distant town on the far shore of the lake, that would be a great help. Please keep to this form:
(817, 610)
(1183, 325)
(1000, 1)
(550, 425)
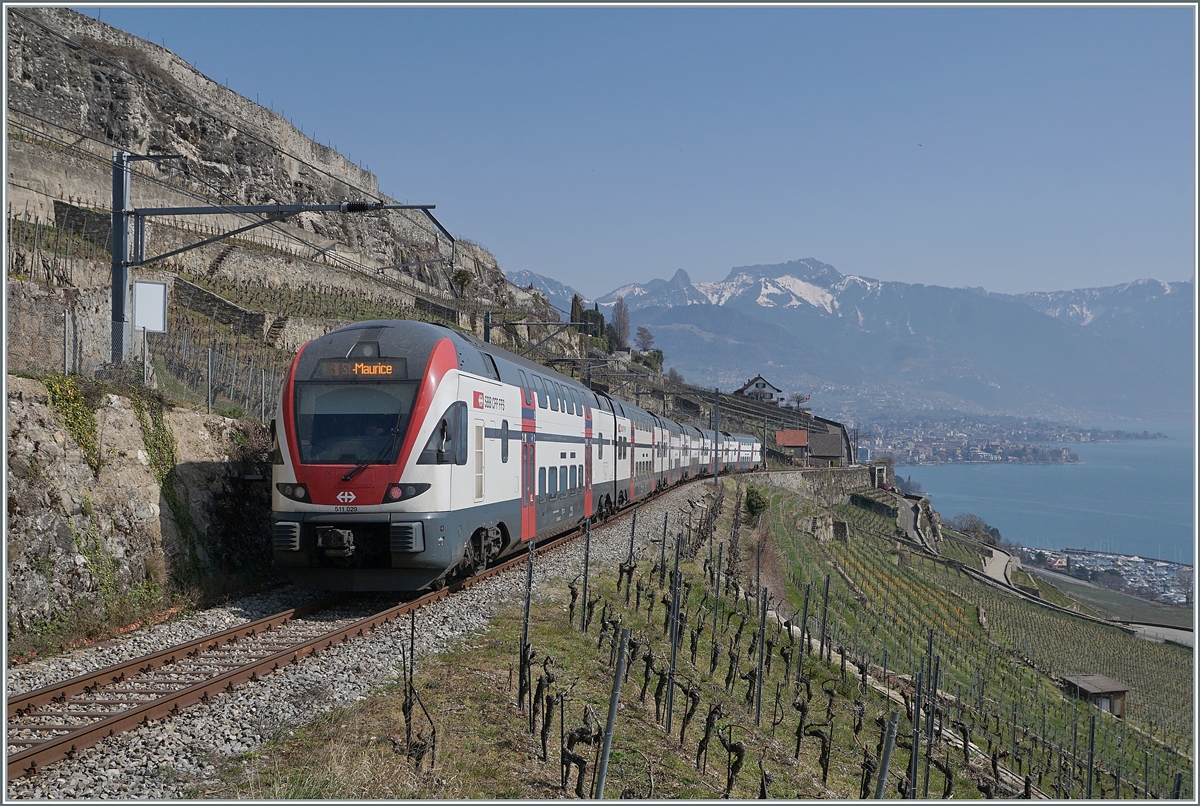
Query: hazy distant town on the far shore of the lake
(963, 440)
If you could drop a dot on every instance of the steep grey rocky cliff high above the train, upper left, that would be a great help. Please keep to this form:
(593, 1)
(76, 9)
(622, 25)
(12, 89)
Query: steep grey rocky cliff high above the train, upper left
(79, 89)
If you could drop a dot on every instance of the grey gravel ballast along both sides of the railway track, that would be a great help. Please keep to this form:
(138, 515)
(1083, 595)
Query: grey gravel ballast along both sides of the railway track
(173, 759)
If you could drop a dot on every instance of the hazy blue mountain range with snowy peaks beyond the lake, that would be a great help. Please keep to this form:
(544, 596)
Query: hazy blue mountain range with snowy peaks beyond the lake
(1124, 351)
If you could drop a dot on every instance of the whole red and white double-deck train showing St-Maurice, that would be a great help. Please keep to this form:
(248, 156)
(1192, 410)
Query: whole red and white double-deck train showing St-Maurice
(406, 453)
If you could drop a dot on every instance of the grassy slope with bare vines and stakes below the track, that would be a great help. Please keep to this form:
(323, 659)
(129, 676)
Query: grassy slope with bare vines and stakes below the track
(887, 600)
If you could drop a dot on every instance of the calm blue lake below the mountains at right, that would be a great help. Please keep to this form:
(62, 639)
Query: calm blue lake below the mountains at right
(1132, 498)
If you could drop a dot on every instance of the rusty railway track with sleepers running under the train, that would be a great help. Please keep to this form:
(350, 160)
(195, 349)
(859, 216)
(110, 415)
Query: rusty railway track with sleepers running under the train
(58, 721)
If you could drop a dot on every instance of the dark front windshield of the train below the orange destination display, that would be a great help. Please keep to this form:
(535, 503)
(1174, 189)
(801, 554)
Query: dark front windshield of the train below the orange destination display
(355, 423)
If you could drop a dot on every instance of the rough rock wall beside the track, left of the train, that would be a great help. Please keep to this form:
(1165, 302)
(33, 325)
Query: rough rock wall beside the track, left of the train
(77, 538)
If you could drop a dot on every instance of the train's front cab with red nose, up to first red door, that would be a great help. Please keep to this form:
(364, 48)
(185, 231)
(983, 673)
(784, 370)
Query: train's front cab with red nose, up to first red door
(398, 525)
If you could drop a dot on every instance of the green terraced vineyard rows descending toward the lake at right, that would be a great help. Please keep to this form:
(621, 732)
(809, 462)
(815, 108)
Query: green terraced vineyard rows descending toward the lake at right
(998, 655)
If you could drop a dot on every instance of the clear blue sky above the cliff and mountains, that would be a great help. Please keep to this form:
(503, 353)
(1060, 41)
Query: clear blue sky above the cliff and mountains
(1017, 149)
